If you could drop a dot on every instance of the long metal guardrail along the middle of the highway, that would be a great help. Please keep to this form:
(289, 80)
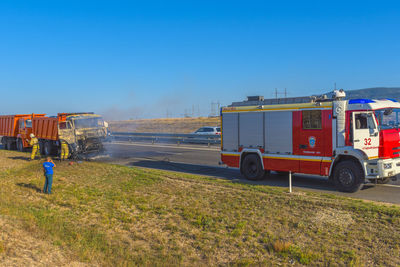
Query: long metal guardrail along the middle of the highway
(208, 139)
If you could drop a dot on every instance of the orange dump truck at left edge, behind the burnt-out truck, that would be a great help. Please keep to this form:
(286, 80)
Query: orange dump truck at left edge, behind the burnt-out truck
(15, 130)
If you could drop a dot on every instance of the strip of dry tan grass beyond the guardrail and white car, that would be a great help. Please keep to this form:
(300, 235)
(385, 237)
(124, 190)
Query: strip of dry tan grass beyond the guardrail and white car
(177, 125)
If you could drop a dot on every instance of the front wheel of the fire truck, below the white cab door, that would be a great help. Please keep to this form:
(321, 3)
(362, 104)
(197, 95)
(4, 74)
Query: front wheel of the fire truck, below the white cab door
(348, 176)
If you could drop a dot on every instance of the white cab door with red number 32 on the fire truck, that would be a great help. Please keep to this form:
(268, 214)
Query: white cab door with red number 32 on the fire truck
(365, 133)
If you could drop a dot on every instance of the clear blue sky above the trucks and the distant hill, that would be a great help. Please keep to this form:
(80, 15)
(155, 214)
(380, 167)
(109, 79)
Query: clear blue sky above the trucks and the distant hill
(138, 59)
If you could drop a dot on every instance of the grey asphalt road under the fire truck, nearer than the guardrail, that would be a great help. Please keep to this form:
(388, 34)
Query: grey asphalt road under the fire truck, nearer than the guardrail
(203, 160)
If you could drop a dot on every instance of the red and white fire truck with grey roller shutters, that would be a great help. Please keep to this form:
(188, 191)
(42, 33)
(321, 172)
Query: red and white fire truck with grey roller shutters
(349, 141)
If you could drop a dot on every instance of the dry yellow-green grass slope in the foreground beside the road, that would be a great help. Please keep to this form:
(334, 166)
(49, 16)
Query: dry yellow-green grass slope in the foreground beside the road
(109, 215)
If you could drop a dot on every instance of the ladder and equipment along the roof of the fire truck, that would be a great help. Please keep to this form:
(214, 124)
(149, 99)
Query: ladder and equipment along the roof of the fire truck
(260, 101)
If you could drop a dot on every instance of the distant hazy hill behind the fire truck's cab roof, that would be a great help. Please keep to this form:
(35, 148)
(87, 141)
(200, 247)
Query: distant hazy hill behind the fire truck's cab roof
(375, 93)
